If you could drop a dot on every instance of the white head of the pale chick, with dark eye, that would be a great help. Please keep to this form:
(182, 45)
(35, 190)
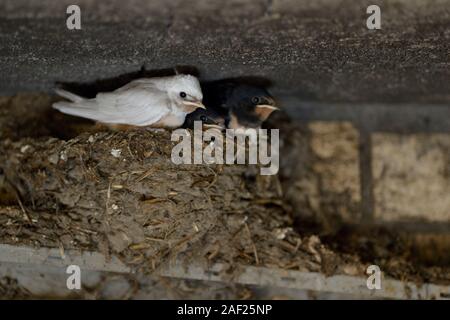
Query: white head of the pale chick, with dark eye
(186, 92)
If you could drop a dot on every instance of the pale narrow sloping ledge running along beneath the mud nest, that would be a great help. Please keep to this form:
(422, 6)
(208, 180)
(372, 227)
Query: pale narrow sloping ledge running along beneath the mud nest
(391, 289)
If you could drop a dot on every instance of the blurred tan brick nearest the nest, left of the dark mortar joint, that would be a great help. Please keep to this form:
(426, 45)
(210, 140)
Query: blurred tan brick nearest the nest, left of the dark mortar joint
(326, 186)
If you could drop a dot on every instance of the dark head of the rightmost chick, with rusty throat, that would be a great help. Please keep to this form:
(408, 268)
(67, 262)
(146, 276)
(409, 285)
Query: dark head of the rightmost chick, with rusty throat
(249, 106)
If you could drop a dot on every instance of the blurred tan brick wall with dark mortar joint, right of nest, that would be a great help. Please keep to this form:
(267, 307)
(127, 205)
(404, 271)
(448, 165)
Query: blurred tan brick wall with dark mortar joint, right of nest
(355, 176)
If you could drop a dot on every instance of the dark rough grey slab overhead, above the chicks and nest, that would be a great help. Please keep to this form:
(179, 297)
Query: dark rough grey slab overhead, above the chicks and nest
(318, 51)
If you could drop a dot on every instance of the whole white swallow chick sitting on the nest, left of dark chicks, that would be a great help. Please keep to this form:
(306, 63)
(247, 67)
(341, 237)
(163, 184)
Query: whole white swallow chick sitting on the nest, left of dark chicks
(160, 102)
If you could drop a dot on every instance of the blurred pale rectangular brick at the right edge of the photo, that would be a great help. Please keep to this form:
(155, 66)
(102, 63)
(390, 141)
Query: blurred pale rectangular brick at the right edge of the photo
(411, 175)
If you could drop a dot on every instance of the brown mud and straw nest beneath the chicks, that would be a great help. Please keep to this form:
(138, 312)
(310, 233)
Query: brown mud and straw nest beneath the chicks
(120, 194)
